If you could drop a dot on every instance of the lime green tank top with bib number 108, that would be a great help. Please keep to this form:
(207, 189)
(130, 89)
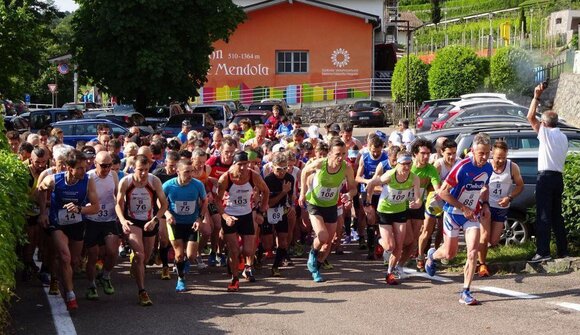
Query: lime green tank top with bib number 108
(326, 186)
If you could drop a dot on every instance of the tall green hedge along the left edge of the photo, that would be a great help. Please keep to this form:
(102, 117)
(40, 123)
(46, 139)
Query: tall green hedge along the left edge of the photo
(13, 203)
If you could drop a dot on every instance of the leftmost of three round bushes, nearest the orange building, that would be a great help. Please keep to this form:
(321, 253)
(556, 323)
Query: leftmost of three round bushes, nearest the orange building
(418, 83)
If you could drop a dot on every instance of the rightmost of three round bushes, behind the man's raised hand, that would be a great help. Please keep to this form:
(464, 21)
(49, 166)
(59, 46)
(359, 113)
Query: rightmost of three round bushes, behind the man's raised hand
(512, 71)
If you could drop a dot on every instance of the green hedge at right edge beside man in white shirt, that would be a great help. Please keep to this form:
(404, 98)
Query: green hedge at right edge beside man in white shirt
(571, 198)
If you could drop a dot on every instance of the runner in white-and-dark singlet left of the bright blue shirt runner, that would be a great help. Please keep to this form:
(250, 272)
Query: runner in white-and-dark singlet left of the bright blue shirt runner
(137, 210)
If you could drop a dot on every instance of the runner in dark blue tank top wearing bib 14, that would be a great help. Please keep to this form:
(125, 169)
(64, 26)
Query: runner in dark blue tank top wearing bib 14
(70, 192)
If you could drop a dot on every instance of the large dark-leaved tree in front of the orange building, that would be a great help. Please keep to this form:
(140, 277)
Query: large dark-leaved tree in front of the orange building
(150, 50)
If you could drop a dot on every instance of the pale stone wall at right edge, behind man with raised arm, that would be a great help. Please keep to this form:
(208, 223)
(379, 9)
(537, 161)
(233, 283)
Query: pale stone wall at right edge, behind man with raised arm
(567, 100)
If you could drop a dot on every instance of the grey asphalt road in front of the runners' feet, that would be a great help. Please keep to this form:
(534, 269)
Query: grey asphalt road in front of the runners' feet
(353, 300)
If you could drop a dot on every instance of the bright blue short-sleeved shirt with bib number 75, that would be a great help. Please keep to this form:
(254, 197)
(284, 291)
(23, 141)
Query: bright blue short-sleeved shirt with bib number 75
(184, 201)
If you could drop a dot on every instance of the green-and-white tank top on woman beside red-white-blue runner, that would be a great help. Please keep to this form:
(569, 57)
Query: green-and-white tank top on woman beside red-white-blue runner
(395, 195)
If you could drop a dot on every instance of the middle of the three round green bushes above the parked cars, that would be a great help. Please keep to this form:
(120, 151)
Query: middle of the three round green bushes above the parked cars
(455, 70)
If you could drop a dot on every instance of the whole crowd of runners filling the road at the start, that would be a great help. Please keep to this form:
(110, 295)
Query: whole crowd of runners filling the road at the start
(235, 200)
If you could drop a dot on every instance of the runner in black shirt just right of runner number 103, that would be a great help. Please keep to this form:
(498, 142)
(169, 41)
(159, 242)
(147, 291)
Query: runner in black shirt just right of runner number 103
(281, 186)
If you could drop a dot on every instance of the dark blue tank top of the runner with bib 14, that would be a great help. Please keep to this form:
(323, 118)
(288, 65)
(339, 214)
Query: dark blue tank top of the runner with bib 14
(62, 195)
